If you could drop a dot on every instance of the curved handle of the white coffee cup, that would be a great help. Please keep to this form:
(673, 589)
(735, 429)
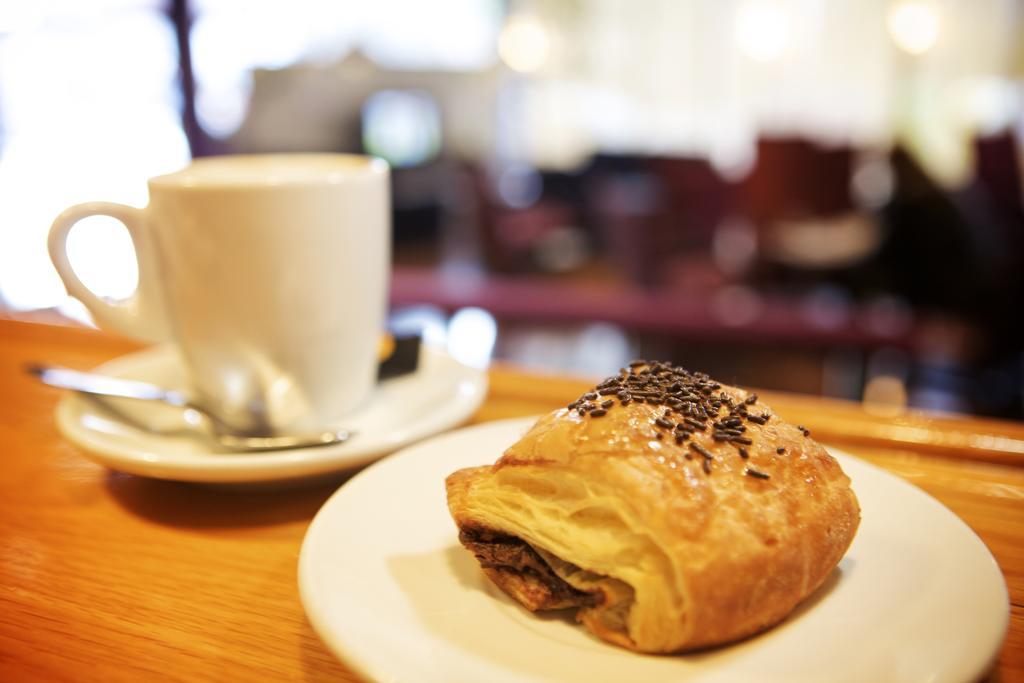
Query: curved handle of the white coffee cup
(143, 315)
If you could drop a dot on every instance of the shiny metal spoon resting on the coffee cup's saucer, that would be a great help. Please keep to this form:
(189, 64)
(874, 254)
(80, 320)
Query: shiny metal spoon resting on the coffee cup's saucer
(104, 386)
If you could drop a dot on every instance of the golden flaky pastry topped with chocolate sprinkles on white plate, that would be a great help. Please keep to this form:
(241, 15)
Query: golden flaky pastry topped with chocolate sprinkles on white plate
(670, 511)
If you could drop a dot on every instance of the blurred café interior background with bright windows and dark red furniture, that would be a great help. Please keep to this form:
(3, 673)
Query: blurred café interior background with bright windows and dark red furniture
(816, 196)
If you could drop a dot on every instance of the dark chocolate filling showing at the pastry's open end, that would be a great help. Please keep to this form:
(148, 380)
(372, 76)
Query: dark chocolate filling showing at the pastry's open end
(504, 553)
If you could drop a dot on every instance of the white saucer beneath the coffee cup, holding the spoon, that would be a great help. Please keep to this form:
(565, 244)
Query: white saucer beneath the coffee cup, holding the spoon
(441, 395)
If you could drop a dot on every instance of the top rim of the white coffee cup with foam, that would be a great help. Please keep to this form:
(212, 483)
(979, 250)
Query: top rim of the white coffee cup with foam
(273, 170)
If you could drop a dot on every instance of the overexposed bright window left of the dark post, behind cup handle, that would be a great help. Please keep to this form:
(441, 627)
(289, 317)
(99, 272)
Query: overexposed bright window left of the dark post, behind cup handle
(89, 111)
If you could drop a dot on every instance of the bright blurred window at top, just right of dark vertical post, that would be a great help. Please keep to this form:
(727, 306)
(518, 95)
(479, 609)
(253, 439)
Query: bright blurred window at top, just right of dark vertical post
(232, 38)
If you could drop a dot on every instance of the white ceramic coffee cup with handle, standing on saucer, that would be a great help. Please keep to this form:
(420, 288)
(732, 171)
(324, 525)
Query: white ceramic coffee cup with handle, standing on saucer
(269, 273)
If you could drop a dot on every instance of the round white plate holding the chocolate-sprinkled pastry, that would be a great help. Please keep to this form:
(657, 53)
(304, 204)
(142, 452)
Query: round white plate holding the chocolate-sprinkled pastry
(392, 592)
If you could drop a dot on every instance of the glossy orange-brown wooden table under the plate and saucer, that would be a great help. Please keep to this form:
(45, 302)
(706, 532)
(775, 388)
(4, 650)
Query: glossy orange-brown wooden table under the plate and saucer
(107, 577)
